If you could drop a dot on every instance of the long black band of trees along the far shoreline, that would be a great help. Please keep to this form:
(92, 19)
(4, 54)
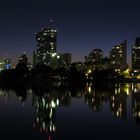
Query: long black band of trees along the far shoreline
(44, 76)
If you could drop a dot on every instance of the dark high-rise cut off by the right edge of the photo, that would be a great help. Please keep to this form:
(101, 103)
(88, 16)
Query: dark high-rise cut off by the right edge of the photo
(136, 56)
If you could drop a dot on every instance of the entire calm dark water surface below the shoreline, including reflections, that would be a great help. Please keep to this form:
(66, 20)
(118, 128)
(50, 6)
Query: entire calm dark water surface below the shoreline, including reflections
(71, 114)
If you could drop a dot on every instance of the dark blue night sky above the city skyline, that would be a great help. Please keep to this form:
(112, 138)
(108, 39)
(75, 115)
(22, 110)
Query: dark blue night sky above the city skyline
(82, 25)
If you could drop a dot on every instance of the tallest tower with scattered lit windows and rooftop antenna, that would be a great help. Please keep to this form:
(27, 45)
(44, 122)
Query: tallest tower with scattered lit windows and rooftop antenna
(46, 46)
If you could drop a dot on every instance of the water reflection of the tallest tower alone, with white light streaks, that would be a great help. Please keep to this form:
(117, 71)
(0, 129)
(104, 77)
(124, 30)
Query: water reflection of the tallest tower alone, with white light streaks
(45, 113)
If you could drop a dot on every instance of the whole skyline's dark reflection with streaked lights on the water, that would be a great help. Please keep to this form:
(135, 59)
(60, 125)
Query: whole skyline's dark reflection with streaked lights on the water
(46, 101)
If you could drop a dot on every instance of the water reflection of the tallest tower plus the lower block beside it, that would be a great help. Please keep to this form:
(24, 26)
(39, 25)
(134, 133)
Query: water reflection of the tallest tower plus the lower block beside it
(45, 105)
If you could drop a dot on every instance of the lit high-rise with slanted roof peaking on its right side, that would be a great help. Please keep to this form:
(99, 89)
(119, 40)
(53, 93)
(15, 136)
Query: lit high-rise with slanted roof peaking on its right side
(118, 56)
